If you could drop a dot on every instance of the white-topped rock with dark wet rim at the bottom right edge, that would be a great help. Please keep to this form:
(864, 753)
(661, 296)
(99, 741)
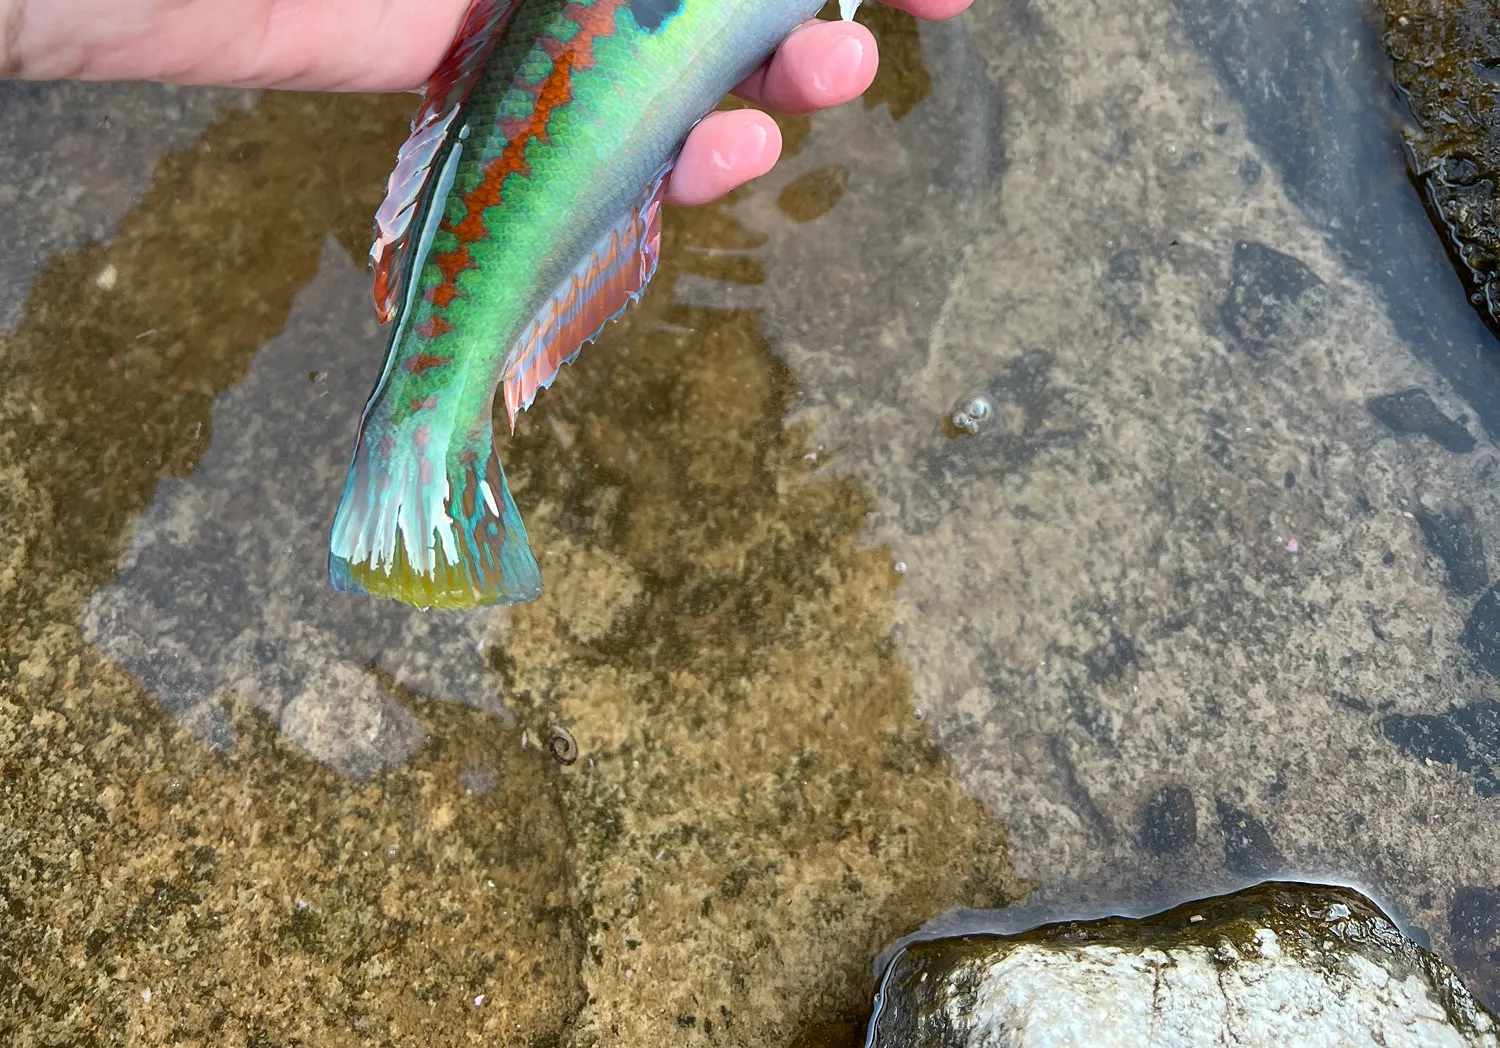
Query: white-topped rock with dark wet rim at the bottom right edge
(1274, 965)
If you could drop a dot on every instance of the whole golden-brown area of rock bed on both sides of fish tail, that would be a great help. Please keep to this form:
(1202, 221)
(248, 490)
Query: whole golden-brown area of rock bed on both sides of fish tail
(755, 809)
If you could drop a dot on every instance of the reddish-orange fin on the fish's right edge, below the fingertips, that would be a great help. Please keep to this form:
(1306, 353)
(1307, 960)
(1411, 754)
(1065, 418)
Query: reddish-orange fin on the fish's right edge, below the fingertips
(613, 275)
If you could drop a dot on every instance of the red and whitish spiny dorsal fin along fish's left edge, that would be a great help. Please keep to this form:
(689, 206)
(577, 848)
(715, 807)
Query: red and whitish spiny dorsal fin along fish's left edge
(434, 125)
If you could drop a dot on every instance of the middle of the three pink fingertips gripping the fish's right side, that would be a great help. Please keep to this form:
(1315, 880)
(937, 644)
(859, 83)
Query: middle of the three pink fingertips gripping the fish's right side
(818, 67)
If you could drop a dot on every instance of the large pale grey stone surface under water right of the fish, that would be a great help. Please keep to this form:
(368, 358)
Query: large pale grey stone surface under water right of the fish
(1199, 269)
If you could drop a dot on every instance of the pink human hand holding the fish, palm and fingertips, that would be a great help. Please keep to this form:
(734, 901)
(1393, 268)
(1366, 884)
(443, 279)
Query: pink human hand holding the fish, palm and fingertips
(385, 46)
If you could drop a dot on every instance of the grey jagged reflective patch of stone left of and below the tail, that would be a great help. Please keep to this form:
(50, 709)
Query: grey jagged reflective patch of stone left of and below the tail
(224, 591)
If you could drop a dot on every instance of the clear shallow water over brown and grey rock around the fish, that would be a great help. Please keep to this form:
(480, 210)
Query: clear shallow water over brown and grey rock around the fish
(1204, 599)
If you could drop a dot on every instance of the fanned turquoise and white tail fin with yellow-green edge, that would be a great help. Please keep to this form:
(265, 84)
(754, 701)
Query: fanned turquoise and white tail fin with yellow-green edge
(431, 539)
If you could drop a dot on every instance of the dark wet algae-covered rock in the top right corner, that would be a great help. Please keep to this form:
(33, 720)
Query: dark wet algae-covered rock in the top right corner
(1447, 62)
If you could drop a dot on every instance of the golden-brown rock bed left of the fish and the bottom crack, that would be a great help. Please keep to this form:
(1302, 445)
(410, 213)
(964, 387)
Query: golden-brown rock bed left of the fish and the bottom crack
(155, 891)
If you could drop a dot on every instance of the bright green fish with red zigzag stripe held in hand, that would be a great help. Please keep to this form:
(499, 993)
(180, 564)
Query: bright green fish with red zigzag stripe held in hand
(524, 214)
